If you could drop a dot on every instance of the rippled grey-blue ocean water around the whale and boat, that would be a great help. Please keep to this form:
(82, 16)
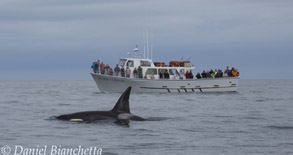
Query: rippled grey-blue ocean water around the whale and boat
(258, 119)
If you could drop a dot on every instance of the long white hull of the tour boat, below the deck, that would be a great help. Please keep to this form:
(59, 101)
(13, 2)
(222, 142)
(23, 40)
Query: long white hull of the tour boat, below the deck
(108, 83)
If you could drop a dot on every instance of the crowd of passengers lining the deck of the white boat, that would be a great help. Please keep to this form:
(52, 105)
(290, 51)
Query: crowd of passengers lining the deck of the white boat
(138, 73)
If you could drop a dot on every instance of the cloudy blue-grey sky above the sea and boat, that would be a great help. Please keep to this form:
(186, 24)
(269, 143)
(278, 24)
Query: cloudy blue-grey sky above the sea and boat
(59, 39)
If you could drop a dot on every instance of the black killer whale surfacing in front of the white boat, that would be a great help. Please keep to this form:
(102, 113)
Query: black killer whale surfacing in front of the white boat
(120, 112)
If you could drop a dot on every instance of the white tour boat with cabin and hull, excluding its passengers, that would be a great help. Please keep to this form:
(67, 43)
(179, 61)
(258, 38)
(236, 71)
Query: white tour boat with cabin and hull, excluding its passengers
(152, 83)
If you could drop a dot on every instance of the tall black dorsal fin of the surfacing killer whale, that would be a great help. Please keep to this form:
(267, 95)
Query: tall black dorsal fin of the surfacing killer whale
(122, 104)
